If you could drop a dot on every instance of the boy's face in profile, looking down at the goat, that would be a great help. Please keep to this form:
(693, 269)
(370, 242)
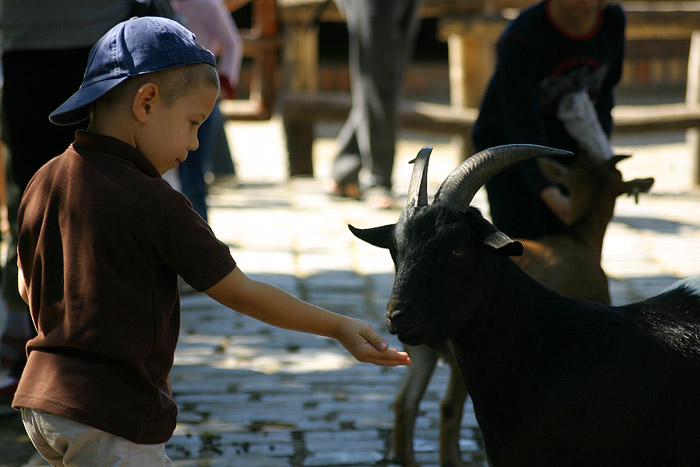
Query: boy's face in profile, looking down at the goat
(172, 129)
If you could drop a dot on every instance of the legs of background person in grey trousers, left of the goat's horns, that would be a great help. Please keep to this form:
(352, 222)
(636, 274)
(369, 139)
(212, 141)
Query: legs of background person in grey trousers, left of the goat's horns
(381, 40)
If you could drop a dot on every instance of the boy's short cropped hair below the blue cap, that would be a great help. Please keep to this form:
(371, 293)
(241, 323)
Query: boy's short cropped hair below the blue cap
(173, 83)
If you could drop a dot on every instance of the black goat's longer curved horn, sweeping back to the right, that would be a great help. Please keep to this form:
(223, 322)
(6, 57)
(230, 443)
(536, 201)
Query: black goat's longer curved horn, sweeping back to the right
(461, 185)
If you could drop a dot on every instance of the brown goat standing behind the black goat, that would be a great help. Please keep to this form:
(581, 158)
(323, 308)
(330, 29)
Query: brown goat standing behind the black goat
(567, 261)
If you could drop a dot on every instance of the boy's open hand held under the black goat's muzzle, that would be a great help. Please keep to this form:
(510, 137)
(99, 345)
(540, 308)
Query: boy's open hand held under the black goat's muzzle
(366, 345)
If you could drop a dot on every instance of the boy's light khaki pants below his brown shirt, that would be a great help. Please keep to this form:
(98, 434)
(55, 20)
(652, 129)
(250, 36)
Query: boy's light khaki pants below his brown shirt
(63, 442)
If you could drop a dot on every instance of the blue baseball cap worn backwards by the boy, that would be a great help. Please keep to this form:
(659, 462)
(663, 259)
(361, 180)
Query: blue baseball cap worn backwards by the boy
(133, 47)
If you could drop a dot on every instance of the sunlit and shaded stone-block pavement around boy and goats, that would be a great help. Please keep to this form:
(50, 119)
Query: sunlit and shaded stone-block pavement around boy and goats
(252, 395)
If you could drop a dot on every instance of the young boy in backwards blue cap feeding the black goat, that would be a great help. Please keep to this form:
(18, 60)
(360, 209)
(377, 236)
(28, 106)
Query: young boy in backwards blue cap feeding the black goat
(102, 239)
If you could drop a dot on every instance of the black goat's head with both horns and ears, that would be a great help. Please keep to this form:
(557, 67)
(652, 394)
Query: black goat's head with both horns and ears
(444, 241)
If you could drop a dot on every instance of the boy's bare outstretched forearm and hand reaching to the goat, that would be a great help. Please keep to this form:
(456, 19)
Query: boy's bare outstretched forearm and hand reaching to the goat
(278, 308)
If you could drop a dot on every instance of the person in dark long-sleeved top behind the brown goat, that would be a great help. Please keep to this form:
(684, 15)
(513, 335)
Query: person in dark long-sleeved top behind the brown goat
(558, 64)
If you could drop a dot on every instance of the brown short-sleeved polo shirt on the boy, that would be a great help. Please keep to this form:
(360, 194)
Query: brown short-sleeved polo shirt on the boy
(102, 238)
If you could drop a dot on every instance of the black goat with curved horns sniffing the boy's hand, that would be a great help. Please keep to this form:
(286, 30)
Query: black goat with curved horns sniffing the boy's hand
(555, 381)
